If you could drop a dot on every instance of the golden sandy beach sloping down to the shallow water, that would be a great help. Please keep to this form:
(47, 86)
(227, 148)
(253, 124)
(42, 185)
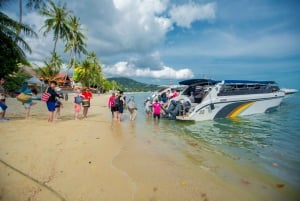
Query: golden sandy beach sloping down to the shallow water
(97, 159)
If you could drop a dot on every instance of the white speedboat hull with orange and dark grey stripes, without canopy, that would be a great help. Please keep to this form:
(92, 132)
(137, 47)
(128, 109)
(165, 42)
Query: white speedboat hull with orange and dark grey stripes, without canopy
(235, 106)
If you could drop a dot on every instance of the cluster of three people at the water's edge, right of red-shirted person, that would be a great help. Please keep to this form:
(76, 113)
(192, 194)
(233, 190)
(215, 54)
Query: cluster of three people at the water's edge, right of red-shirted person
(117, 103)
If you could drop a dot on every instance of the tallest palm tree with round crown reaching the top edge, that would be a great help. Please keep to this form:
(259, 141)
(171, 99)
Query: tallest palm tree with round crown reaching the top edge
(56, 21)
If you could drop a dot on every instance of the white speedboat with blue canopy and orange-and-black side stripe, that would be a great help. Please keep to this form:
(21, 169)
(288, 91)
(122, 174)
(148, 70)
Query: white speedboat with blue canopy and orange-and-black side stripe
(206, 99)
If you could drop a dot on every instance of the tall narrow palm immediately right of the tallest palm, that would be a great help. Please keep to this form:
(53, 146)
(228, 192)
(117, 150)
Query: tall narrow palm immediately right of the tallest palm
(75, 40)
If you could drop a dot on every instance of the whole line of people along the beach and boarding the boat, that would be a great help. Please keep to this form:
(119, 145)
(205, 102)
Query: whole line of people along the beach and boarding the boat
(82, 100)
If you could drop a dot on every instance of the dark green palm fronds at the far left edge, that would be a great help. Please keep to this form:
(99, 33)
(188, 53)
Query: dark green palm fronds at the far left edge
(12, 45)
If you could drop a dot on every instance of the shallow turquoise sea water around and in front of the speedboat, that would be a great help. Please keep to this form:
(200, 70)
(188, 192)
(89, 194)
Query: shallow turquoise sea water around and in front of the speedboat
(268, 142)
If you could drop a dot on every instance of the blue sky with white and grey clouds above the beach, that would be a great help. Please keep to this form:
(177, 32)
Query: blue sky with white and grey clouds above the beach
(162, 41)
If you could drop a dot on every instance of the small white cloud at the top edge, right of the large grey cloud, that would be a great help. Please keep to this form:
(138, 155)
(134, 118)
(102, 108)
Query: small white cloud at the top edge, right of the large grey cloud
(184, 15)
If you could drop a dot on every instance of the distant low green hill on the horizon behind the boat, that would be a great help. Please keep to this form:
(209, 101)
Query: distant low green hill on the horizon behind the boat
(131, 85)
